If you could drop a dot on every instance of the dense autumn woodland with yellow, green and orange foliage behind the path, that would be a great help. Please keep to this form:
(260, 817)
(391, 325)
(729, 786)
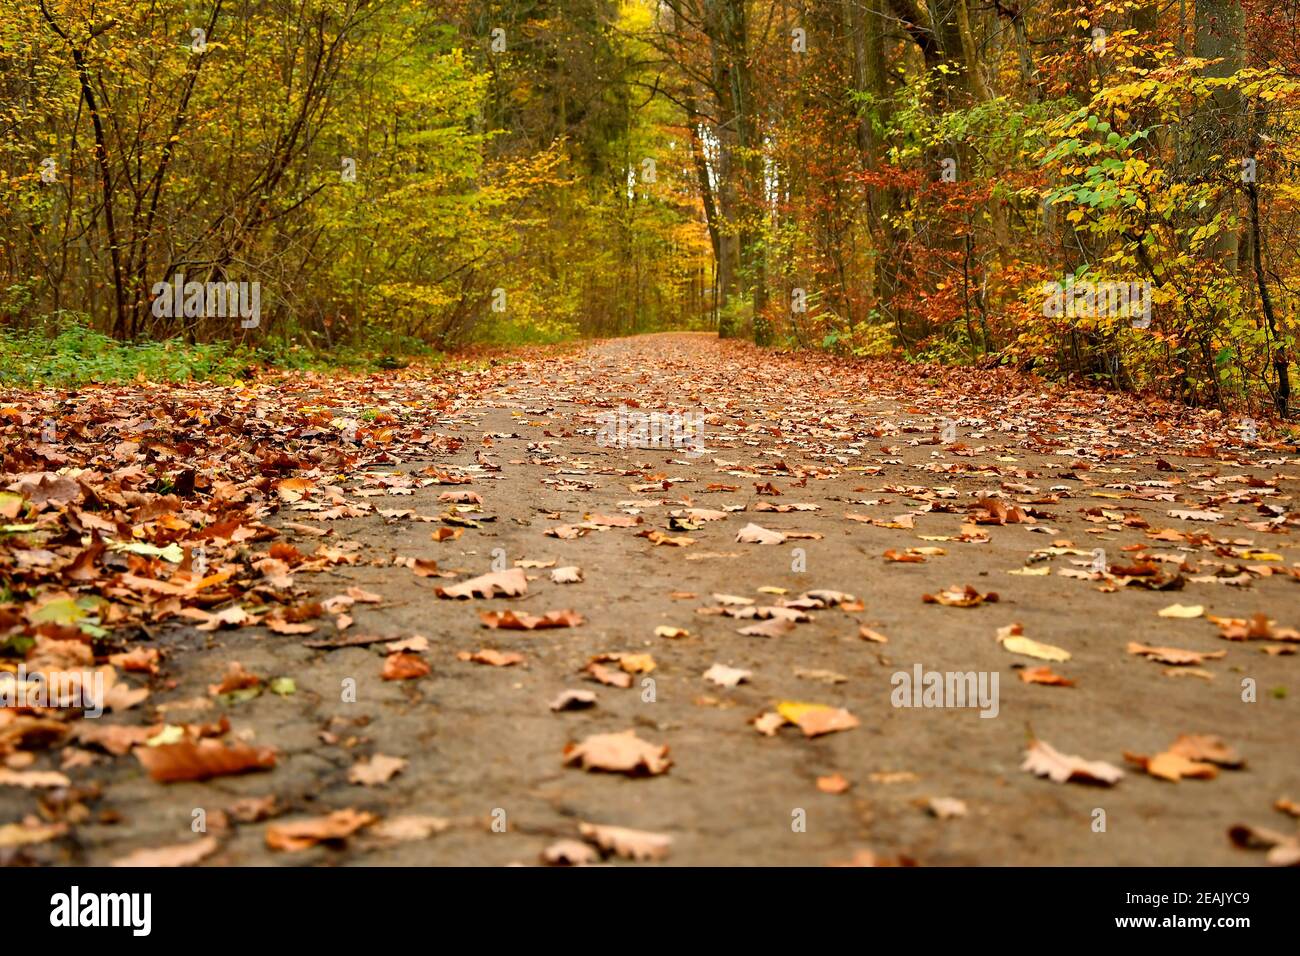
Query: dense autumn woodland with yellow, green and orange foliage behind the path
(874, 178)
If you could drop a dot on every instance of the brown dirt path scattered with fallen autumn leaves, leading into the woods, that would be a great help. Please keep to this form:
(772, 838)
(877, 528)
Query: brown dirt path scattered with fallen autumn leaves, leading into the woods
(865, 449)
